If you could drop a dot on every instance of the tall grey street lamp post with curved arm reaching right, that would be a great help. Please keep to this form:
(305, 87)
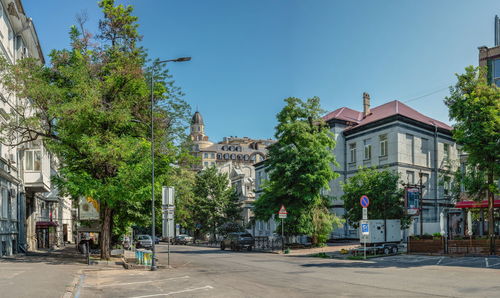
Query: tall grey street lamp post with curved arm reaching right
(153, 234)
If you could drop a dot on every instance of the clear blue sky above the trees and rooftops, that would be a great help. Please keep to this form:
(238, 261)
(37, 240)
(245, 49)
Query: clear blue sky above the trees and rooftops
(248, 55)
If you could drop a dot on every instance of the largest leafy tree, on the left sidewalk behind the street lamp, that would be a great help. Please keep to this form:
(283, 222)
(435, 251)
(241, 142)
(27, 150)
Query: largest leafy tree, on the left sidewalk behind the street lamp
(91, 108)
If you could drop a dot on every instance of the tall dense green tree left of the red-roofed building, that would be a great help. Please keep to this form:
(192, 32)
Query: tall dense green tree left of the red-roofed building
(300, 167)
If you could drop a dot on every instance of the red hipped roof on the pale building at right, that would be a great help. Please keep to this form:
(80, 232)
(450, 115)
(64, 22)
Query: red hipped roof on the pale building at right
(383, 111)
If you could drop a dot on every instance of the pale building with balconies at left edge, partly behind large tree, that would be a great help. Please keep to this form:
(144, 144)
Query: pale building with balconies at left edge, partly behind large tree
(26, 213)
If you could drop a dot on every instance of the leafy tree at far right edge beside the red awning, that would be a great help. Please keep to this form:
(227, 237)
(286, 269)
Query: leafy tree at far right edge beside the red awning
(474, 105)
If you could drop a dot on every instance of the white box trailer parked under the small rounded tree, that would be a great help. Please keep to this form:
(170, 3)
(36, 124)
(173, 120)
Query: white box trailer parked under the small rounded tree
(382, 231)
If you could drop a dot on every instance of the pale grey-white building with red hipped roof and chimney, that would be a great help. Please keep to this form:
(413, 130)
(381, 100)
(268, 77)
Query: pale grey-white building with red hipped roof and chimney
(396, 137)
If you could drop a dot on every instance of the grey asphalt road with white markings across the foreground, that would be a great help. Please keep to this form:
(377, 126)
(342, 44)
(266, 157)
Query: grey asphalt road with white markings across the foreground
(209, 272)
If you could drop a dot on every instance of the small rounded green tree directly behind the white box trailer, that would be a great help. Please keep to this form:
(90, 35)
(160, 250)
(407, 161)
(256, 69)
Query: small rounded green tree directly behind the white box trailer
(382, 188)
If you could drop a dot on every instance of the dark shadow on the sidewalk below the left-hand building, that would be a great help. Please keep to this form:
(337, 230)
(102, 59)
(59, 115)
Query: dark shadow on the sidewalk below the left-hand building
(65, 256)
